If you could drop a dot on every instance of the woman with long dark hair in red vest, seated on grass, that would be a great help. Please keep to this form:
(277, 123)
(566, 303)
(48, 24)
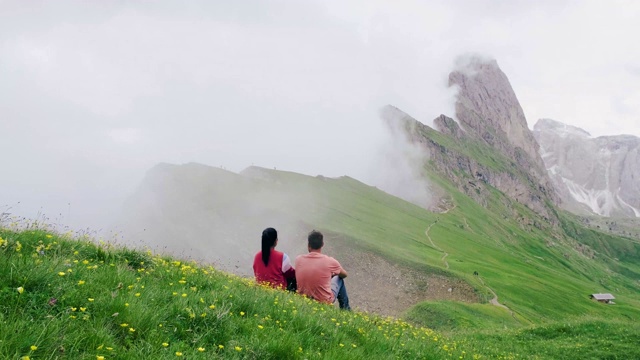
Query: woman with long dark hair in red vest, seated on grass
(270, 265)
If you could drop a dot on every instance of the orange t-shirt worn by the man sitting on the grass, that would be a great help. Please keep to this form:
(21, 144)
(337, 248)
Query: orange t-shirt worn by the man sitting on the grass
(313, 274)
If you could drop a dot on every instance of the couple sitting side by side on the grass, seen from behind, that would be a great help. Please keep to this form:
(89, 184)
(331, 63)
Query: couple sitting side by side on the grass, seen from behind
(318, 276)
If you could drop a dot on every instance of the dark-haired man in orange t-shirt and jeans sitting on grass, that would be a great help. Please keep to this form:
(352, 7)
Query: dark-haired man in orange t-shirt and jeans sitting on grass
(319, 276)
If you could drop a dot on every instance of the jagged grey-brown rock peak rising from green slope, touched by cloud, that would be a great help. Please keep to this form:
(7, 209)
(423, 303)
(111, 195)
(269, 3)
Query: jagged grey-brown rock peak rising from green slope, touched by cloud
(489, 145)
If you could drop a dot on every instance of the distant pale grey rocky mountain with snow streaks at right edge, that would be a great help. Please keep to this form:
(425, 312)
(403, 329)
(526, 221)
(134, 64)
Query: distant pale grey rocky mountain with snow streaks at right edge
(599, 175)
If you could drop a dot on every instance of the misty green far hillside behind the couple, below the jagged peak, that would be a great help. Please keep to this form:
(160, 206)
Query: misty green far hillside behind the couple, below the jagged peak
(540, 273)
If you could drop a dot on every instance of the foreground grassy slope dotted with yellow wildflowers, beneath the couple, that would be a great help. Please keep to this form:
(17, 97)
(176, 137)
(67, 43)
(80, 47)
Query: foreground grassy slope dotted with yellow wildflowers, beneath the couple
(65, 298)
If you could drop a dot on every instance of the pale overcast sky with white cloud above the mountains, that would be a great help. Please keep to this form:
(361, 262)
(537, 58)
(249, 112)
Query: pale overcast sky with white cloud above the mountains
(94, 93)
